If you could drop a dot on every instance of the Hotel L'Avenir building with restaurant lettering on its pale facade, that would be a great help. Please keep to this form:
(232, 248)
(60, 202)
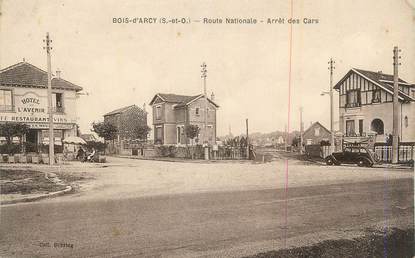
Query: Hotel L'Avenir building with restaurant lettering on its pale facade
(24, 99)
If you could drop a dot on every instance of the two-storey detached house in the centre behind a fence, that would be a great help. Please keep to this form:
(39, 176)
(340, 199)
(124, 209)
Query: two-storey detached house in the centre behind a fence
(172, 113)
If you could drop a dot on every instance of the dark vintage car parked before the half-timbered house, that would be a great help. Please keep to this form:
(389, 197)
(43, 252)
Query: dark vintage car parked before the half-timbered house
(361, 156)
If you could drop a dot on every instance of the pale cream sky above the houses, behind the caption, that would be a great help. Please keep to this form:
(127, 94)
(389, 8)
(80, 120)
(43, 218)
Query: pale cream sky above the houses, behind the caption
(263, 72)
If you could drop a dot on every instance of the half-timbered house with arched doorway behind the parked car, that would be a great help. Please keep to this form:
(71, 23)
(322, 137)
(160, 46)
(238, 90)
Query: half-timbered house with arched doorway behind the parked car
(366, 106)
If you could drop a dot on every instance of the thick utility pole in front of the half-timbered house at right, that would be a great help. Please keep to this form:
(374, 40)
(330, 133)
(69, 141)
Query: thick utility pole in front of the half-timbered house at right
(395, 131)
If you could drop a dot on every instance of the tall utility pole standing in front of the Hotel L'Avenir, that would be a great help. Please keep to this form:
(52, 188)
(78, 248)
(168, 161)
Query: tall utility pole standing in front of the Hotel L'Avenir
(48, 48)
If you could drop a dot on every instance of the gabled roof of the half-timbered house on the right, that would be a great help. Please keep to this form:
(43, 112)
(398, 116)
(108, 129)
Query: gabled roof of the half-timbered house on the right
(384, 81)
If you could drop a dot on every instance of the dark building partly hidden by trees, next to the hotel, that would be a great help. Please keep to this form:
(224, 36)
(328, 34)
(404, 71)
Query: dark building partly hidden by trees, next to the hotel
(125, 119)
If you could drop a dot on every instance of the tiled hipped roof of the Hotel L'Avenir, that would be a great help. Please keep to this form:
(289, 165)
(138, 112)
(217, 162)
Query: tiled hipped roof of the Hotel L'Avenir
(25, 74)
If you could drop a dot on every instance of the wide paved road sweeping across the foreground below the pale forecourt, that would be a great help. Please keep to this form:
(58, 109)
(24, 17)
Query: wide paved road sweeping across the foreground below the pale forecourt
(209, 223)
